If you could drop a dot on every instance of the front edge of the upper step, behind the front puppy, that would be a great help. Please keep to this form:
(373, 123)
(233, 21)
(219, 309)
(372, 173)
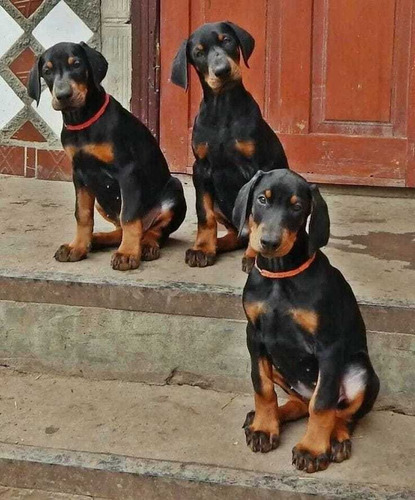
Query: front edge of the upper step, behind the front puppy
(162, 297)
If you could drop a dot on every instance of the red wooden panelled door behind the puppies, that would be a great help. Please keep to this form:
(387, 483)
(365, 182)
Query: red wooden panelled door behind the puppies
(334, 78)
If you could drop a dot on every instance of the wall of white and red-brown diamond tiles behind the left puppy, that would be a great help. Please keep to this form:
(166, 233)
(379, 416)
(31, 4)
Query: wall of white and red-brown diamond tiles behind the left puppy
(29, 135)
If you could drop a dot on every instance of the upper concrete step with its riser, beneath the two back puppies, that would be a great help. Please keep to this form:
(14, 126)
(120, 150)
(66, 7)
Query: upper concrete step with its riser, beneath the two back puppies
(166, 321)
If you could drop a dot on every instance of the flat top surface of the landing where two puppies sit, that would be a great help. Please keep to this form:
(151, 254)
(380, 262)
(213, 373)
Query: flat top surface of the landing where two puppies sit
(372, 242)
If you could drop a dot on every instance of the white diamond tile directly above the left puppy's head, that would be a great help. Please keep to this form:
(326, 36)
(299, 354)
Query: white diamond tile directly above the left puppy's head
(61, 25)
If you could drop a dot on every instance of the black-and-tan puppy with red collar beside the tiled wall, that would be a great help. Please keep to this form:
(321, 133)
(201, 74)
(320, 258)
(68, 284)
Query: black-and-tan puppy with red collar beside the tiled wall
(116, 161)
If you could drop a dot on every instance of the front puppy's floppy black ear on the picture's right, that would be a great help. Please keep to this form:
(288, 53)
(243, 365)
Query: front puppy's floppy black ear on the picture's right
(319, 228)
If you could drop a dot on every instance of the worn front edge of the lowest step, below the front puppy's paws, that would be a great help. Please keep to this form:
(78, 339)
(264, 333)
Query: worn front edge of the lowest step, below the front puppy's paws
(195, 472)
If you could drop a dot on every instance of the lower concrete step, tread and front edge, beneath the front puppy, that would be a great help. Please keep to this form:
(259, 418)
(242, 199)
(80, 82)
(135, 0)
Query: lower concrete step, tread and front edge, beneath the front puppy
(113, 439)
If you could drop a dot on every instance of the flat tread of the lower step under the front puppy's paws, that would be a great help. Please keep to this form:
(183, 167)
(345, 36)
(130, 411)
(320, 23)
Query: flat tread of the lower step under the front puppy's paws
(186, 425)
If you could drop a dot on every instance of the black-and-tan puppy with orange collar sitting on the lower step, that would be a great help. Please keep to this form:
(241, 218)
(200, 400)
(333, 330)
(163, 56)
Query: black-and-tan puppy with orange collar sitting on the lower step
(305, 331)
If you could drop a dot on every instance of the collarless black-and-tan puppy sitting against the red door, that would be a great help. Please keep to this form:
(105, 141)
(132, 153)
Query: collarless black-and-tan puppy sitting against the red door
(231, 141)
